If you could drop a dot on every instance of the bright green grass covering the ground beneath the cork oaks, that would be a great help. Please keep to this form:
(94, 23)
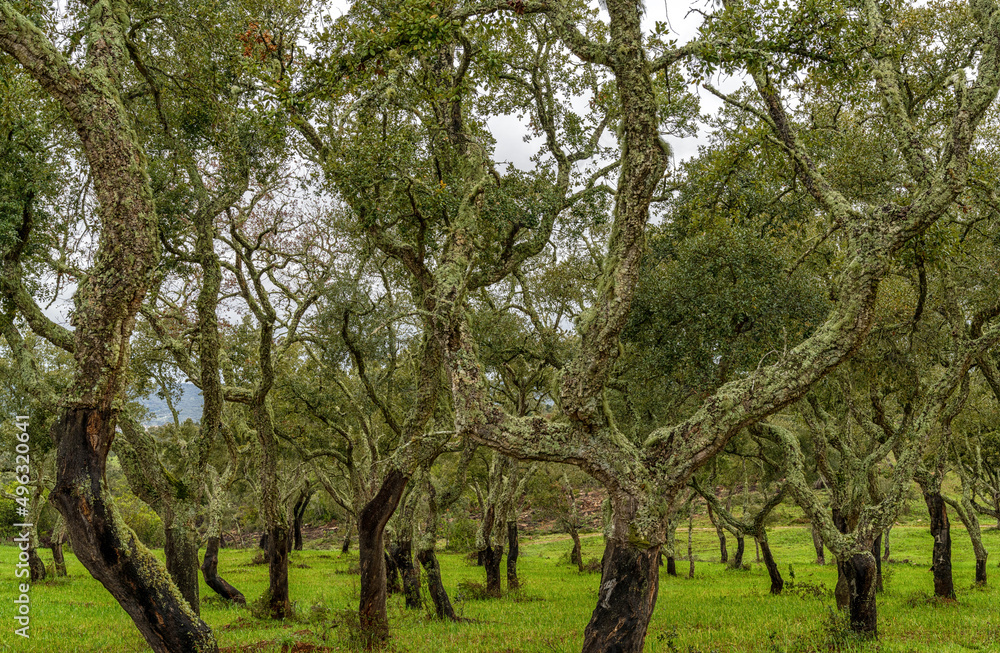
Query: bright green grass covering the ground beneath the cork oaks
(717, 610)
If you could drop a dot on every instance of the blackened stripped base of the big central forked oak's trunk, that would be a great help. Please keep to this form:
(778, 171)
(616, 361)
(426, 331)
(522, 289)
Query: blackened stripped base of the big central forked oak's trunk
(627, 596)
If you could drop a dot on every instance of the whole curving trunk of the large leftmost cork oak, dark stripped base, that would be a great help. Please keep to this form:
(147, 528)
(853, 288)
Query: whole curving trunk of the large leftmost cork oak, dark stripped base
(106, 303)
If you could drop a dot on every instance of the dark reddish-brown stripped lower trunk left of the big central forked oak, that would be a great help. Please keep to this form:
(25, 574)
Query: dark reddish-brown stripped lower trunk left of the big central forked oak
(371, 547)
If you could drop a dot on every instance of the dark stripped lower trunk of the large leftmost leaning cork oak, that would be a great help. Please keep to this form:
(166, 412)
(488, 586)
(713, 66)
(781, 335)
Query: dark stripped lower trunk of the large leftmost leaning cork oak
(108, 548)
